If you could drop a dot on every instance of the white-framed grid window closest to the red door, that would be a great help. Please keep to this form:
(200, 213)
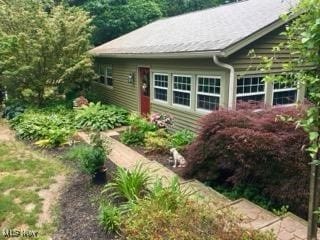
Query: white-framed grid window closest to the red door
(160, 82)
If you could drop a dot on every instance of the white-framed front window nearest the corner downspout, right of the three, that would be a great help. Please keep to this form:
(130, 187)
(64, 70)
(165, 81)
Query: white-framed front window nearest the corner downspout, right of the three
(208, 93)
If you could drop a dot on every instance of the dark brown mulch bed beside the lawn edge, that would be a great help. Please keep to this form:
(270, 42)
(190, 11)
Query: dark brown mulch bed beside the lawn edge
(78, 209)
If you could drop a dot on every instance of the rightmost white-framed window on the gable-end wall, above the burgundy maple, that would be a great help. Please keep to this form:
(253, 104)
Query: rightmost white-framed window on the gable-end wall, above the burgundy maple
(284, 93)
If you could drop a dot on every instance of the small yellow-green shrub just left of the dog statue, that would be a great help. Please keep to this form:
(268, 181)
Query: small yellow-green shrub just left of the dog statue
(157, 141)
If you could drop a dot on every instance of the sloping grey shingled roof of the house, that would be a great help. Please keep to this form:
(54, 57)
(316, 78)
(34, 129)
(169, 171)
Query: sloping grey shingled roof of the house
(211, 30)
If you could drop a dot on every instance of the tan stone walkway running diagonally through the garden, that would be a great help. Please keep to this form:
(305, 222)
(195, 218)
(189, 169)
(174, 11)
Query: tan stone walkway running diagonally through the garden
(288, 227)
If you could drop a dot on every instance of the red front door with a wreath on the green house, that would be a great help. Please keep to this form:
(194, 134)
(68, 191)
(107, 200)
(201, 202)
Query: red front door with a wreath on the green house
(144, 76)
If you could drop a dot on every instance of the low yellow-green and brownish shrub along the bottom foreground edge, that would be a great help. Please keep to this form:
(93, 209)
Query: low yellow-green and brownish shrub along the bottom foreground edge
(191, 220)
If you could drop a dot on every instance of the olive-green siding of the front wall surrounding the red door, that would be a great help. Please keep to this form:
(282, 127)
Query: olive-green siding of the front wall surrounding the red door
(128, 96)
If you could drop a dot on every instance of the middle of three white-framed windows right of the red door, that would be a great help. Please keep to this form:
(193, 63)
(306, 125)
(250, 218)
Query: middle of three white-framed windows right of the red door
(181, 90)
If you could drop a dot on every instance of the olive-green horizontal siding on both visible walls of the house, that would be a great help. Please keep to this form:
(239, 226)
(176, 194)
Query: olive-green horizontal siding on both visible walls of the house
(128, 94)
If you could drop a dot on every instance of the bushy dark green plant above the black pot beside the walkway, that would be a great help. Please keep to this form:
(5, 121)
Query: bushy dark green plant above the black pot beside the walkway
(90, 158)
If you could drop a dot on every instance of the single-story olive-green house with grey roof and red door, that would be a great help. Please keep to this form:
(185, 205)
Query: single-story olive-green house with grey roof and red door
(198, 62)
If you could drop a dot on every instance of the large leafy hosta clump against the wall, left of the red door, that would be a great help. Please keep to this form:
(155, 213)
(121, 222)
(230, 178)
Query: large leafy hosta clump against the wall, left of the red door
(100, 117)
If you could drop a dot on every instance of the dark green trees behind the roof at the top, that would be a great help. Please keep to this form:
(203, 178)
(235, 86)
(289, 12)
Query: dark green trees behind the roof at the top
(113, 18)
